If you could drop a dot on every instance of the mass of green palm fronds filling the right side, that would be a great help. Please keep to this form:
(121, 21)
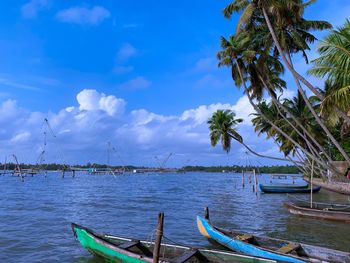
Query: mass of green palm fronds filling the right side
(307, 129)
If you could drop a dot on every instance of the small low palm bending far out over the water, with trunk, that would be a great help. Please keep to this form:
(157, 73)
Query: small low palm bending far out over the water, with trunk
(222, 128)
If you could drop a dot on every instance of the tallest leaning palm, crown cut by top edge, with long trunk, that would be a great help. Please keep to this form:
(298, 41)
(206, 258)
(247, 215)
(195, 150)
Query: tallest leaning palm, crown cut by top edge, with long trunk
(290, 34)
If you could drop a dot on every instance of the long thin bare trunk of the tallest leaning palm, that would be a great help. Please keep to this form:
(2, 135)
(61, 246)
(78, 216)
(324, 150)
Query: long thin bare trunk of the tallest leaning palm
(297, 77)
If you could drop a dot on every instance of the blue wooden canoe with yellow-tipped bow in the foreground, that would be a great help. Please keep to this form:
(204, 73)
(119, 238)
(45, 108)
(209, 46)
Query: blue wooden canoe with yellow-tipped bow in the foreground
(270, 248)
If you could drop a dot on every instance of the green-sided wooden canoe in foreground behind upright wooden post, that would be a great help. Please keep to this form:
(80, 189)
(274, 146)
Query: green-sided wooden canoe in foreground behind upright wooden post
(119, 249)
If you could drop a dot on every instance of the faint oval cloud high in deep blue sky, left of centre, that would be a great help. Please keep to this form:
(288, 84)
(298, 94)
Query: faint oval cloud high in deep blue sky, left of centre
(83, 15)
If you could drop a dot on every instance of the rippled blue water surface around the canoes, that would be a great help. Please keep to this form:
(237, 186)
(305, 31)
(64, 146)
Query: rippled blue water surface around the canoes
(35, 215)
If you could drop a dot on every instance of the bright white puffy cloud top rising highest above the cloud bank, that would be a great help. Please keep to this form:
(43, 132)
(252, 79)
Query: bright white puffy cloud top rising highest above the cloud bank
(91, 100)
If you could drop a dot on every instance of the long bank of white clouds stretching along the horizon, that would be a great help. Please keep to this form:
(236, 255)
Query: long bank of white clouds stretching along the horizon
(83, 130)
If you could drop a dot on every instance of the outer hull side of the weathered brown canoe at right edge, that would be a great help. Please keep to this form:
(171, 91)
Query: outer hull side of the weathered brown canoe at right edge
(318, 213)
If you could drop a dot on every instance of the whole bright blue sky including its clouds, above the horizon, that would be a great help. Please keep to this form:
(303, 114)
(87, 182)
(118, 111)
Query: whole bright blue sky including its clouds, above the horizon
(140, 74)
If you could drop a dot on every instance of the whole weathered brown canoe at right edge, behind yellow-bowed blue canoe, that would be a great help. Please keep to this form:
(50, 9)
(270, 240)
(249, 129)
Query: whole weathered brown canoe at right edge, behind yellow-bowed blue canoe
(321, 211)
